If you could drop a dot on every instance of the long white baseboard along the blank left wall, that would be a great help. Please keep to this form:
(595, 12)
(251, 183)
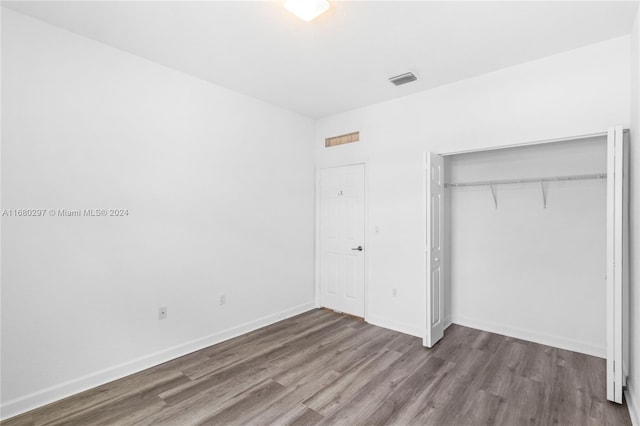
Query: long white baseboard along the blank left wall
(54, 393)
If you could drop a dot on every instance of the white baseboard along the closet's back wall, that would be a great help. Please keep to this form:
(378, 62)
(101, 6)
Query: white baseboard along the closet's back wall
(544, 339)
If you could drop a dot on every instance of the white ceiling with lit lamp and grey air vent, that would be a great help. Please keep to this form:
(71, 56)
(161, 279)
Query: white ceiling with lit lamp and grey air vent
(341, 60)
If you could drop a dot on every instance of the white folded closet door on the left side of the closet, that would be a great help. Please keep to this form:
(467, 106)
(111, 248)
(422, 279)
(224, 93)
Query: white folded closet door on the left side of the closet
(435, 249)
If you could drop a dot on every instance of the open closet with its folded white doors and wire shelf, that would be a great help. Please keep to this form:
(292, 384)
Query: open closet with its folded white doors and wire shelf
(529, 236)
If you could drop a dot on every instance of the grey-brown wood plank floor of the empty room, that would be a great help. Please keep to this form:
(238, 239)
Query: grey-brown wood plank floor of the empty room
(324, 368)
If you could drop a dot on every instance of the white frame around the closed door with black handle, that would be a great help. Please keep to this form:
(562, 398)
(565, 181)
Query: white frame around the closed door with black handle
(367, 236)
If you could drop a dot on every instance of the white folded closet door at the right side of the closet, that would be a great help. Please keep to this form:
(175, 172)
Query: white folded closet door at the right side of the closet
(617, 262)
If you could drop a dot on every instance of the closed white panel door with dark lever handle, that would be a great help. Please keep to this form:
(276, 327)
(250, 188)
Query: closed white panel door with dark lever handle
(342, 222)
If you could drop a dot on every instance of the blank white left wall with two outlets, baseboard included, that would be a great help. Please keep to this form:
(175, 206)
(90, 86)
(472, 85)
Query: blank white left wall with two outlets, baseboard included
(220, 193)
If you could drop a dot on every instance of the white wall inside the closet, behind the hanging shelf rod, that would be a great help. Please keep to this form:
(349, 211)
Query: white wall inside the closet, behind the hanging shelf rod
(522, 269)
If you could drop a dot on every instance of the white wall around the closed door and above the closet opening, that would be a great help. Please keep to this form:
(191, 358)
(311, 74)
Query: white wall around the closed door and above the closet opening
(579, 92)
